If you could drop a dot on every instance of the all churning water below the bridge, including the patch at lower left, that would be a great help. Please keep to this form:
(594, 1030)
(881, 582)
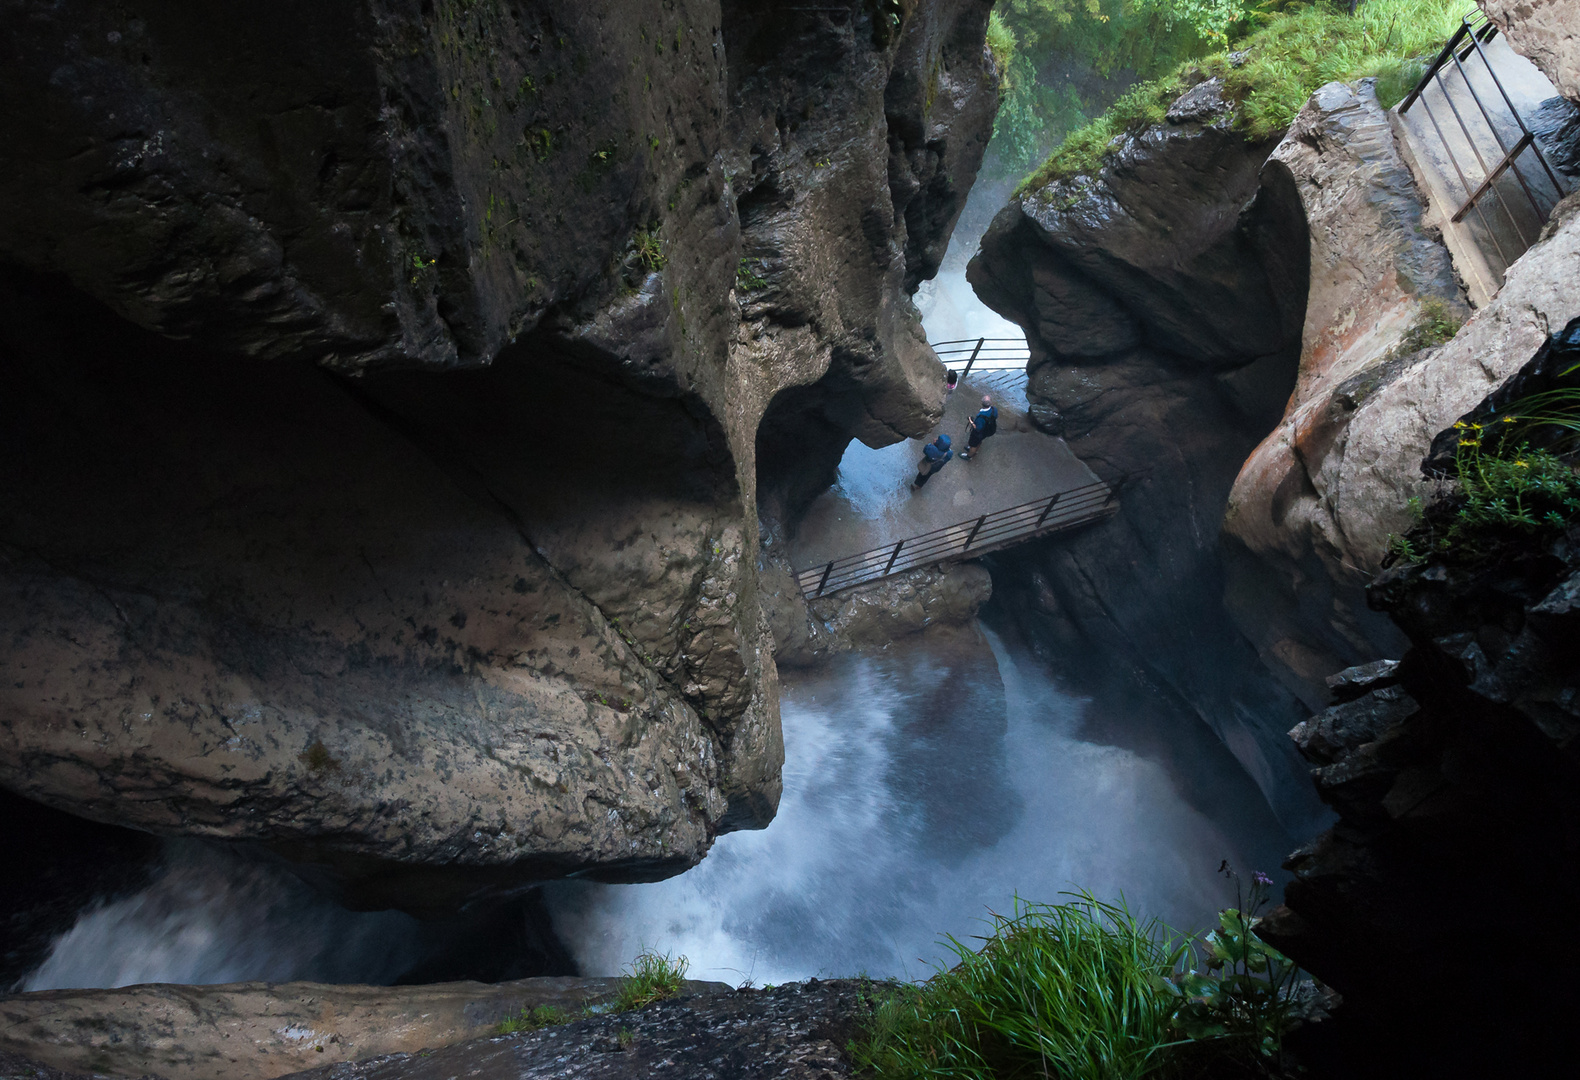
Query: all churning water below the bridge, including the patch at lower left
(925, 787)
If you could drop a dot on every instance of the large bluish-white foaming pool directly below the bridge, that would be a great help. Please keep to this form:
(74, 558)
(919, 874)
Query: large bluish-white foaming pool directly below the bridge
(924, 789)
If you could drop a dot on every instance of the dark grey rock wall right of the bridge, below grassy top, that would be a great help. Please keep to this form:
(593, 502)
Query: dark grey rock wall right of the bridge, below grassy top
(1162, 299)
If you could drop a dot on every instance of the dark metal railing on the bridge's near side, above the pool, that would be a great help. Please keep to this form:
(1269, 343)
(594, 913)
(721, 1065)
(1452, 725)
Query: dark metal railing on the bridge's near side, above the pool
(966, 539)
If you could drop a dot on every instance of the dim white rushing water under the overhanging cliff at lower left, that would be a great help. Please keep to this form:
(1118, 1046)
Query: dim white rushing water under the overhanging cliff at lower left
(214, 918)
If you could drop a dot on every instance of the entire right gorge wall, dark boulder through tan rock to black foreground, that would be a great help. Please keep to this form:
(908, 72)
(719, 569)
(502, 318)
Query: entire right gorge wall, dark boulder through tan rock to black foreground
(1446, 754)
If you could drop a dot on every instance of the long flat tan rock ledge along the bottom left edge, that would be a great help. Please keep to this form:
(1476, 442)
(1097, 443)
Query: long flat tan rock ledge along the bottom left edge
(258, 1032)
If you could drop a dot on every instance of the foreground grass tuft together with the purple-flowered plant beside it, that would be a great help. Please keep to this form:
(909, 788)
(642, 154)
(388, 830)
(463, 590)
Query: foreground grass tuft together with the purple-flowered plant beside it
(1083, 989)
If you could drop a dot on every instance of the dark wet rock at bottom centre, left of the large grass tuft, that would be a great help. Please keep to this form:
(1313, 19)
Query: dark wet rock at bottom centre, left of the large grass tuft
(797, 1032)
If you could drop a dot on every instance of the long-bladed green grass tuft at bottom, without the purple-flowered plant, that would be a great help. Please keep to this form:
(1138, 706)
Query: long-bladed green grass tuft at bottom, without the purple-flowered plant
(1058, 991)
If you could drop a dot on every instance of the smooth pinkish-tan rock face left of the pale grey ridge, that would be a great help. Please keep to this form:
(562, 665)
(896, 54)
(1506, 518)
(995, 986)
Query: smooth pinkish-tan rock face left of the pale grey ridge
(1296, 576)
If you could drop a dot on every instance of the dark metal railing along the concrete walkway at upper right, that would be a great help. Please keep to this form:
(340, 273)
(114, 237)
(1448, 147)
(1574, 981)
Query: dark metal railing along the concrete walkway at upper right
(1480, 178)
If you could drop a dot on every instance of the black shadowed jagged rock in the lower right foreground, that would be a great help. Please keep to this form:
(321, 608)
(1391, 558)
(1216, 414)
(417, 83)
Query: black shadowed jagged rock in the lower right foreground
(1456, 779)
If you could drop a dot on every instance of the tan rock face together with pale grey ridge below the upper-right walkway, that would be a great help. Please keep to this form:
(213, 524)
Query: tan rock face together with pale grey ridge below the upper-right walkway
(1312, 511)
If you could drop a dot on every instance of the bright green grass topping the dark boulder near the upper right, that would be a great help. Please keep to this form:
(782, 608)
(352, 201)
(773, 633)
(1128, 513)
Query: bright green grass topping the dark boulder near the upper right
(1292, 56)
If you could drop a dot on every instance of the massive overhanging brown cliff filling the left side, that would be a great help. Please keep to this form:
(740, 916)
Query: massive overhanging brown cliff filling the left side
(385, 389)
